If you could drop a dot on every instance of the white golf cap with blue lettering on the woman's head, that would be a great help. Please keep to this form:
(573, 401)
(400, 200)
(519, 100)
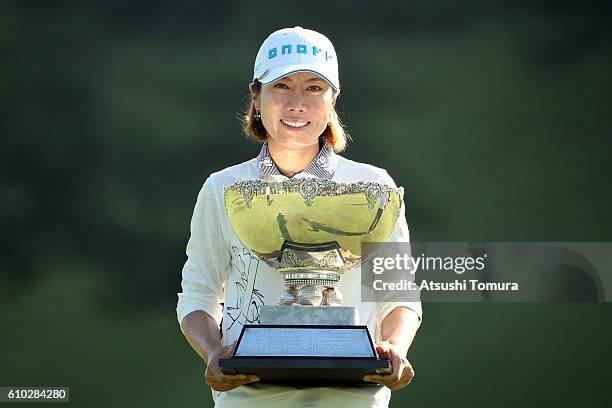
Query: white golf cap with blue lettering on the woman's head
(296, 49)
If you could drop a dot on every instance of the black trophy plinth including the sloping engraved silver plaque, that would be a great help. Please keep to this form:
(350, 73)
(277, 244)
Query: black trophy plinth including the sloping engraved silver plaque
(306, 354)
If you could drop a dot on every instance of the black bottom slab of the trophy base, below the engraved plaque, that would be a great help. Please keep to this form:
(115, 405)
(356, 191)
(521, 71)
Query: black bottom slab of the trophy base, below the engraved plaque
(307, 370)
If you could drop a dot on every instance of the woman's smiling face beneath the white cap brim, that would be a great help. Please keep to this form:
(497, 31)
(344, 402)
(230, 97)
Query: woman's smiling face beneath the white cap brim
(295, 110)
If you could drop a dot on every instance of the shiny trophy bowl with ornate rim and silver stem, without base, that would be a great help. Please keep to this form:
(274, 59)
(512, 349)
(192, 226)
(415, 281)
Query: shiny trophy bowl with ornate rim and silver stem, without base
(311, 230)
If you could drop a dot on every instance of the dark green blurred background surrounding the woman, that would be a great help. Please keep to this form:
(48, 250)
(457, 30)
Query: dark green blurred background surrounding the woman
(494, 116)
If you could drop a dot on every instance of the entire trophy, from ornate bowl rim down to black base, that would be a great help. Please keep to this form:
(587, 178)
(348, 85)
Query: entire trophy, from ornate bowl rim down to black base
(311, 231)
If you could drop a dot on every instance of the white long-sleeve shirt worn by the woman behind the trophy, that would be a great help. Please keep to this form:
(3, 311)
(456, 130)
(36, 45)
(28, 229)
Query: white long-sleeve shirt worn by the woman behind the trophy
(220, 270)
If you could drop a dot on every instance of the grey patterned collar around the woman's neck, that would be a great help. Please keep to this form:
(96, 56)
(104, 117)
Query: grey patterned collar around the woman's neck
(323, 165)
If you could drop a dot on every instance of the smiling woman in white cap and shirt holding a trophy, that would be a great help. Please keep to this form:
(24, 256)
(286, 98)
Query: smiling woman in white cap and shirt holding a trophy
(293, 95)
